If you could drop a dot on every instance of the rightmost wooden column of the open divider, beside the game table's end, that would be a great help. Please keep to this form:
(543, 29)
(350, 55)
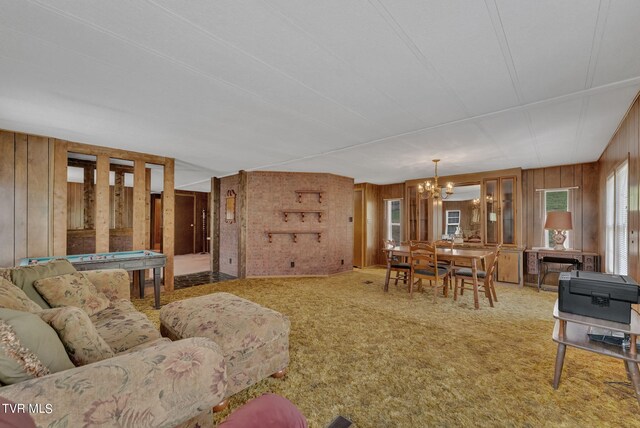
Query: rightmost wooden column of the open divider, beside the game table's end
(168, 222)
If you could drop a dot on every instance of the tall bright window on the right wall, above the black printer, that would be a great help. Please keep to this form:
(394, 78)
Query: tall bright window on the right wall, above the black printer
(616, 221)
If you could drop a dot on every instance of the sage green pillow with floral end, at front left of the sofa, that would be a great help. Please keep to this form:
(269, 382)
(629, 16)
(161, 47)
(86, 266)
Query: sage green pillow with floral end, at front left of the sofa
(29, 348)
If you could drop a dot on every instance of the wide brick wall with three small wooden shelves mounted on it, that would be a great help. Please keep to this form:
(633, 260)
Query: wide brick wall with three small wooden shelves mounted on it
(269, 193)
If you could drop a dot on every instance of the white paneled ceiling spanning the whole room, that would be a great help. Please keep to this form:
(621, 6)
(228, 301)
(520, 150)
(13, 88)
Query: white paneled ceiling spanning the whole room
(369, 89)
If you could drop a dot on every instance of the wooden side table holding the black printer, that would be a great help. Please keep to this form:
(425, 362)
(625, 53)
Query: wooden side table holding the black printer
(571, 330)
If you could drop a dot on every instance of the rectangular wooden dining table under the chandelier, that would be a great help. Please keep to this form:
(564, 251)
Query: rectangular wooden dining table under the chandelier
(473, 256)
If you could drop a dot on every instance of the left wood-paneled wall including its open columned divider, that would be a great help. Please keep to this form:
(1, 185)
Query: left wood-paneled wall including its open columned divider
(33, 191)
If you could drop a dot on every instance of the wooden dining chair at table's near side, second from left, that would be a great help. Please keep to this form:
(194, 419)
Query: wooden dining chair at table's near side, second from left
(424, 265)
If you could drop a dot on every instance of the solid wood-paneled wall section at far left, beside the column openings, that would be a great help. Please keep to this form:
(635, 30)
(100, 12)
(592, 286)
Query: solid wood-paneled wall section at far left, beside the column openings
(26, 212)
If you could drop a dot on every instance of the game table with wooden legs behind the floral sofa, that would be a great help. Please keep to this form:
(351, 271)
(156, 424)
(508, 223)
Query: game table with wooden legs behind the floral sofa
(136, 261)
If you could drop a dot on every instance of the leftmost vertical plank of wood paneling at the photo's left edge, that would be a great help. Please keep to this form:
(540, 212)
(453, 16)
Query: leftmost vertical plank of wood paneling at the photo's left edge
(7, 195)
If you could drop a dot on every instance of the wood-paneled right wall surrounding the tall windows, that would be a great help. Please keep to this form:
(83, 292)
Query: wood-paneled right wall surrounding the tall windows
(625, 144)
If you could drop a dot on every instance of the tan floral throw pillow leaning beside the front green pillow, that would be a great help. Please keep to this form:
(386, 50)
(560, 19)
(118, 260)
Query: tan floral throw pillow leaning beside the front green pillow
(78, 334)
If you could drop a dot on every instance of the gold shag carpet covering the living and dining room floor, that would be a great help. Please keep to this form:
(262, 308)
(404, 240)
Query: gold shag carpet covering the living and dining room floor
(383, 360)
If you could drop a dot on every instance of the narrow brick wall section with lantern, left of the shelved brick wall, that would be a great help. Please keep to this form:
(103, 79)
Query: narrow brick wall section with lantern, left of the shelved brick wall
(228, 231)
